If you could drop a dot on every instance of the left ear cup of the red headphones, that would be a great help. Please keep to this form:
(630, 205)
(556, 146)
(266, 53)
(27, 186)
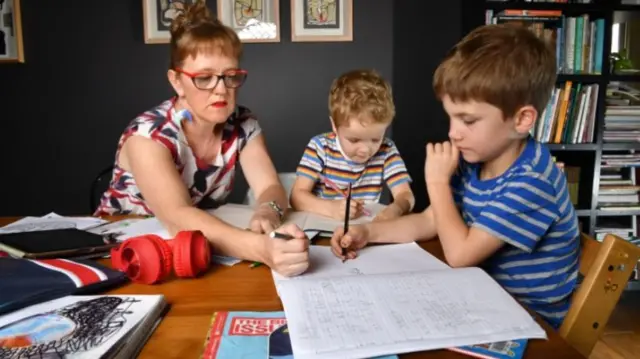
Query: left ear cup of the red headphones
(145, 259)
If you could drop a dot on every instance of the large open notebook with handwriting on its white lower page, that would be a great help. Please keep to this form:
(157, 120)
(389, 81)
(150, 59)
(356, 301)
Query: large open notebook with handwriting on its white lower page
(395, 299)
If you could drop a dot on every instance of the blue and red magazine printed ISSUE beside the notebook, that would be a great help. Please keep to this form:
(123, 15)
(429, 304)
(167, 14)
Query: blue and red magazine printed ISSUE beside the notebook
(250, 335)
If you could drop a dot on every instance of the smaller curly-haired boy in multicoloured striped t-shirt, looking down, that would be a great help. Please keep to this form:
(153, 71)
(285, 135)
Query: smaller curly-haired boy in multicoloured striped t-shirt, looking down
(356, 152)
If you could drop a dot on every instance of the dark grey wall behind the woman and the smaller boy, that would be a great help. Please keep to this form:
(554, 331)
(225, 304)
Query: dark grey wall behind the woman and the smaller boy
(88, 73)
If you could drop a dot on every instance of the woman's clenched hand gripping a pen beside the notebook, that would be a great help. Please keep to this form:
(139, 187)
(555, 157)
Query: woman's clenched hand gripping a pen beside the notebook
(288, 253)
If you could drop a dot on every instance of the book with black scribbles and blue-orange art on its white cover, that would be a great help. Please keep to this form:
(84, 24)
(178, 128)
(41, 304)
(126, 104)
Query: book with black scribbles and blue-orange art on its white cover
(79, 327)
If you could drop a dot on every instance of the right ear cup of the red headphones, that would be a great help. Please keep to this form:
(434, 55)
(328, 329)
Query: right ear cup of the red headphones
(191, 254)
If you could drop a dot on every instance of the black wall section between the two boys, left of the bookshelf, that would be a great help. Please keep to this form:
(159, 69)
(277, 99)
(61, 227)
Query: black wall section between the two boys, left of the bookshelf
(422, 37)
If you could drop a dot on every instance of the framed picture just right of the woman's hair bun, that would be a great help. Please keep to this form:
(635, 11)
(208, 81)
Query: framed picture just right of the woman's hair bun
(253, 20)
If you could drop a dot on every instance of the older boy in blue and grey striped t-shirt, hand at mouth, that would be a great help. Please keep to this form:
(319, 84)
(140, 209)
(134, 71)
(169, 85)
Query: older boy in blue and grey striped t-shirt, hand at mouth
(504, 205)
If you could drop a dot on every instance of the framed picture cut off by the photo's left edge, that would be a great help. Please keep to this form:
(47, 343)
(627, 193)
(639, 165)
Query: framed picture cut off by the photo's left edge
(11, 49)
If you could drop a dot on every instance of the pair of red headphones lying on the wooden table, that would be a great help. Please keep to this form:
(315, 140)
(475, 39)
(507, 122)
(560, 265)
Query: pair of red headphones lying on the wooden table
(148, 259)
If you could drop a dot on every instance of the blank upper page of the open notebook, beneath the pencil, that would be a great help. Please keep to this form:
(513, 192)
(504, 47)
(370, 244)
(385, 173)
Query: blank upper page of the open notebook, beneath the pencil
(389, 258)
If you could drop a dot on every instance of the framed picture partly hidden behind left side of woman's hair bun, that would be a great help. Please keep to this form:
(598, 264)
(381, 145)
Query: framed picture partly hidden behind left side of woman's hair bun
(157, 16)
